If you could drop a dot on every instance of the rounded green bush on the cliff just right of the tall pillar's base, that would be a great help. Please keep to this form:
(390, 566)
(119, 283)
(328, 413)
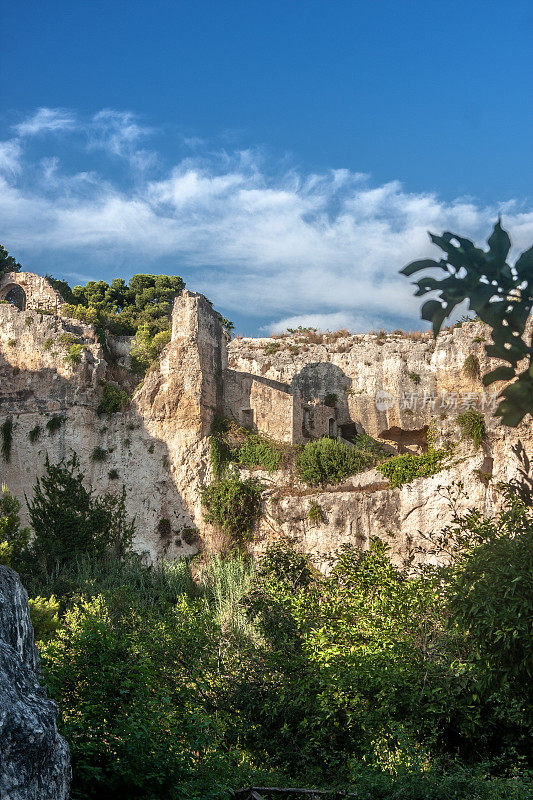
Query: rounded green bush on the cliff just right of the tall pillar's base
(233, 505)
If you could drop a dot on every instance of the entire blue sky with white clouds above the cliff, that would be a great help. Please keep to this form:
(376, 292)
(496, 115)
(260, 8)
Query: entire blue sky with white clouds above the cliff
(286, 158)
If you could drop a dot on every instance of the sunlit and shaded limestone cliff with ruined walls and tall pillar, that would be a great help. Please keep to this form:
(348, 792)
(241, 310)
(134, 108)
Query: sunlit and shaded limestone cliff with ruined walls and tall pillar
(391, 386)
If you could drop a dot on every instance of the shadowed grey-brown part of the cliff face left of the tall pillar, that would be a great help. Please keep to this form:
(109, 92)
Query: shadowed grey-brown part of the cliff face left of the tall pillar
(127, 450)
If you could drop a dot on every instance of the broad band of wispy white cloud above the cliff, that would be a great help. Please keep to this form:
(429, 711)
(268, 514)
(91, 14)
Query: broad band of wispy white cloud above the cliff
(273, 242)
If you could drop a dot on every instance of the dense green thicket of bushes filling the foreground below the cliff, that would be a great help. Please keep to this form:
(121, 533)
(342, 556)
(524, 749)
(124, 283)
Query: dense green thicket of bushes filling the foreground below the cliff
(383, 682)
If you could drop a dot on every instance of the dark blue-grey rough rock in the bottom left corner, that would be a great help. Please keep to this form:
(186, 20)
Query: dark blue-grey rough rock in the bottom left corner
(34, 758)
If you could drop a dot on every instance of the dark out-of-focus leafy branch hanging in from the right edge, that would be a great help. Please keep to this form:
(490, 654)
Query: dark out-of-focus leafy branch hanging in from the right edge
(502, 297)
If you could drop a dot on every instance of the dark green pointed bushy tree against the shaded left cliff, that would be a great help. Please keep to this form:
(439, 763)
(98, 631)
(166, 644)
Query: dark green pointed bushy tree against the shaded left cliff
(70, 521)
